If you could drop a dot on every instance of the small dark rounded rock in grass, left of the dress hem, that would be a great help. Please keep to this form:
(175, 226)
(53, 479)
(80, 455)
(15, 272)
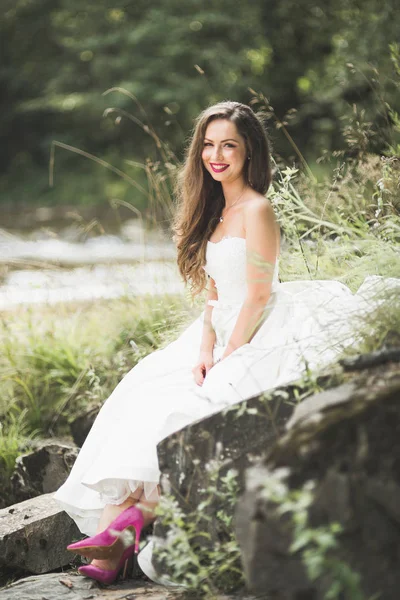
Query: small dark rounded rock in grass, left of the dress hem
(42, 470)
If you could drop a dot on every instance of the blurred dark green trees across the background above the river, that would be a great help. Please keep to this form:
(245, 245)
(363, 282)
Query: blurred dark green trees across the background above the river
(58, 58)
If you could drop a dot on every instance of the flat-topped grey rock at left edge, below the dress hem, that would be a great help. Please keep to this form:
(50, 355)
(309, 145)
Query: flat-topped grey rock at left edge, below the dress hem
(34, 535)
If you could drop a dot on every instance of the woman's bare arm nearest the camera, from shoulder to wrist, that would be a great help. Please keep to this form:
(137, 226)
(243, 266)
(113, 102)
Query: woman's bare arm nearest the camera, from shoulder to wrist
(262, 247)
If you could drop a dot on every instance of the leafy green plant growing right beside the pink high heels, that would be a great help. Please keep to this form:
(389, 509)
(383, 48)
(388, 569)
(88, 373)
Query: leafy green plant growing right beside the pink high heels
(203, 564)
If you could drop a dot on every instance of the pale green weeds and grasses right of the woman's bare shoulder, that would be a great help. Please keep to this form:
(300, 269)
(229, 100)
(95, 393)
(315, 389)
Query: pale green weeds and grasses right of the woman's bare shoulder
(343, 230)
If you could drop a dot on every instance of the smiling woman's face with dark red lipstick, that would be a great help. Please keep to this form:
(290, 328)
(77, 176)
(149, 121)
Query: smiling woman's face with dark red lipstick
(224, 151)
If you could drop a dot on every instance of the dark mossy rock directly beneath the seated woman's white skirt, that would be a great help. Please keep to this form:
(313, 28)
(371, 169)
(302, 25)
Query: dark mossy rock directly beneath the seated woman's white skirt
(230, 439)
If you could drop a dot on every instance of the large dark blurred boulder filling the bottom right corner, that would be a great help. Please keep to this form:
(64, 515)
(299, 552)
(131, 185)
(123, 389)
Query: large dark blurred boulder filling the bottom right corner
(345, 440)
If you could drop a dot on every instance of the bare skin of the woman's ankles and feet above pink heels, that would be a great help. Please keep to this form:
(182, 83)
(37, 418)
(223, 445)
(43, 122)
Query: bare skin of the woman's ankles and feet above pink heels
(111, 512)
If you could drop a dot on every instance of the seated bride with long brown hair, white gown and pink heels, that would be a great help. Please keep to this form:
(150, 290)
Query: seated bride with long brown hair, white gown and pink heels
(255, 333)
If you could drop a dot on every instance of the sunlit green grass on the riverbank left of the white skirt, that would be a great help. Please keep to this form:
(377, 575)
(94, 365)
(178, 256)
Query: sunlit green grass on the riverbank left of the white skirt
(52, 367)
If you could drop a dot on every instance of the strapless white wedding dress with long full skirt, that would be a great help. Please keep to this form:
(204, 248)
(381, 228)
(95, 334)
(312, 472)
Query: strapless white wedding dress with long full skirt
(306, 323)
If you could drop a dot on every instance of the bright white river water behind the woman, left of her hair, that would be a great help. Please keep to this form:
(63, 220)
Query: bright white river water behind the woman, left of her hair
(48, 266)
